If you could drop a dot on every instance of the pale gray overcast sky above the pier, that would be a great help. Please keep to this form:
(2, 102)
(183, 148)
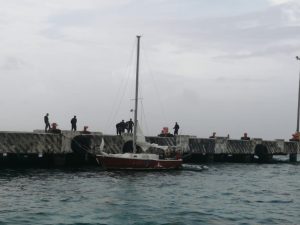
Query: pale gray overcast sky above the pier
(211, 65)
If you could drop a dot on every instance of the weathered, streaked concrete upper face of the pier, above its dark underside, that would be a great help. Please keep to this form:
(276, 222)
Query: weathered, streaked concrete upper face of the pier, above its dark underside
(64, 143)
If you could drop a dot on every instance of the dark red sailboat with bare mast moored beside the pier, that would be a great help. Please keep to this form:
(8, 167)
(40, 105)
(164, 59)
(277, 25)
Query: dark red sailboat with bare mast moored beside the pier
(135, 160)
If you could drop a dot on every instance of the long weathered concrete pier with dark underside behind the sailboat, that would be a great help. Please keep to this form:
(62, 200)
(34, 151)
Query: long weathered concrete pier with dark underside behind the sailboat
(74, 148)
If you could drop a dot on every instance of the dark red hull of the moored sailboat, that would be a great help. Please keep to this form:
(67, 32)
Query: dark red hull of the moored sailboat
(119, 163)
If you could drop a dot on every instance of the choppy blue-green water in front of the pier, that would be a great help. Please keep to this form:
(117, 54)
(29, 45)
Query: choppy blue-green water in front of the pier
(222, 194)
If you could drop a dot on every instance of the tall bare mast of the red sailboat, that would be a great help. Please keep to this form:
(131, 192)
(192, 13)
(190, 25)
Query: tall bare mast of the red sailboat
(136, 92)
